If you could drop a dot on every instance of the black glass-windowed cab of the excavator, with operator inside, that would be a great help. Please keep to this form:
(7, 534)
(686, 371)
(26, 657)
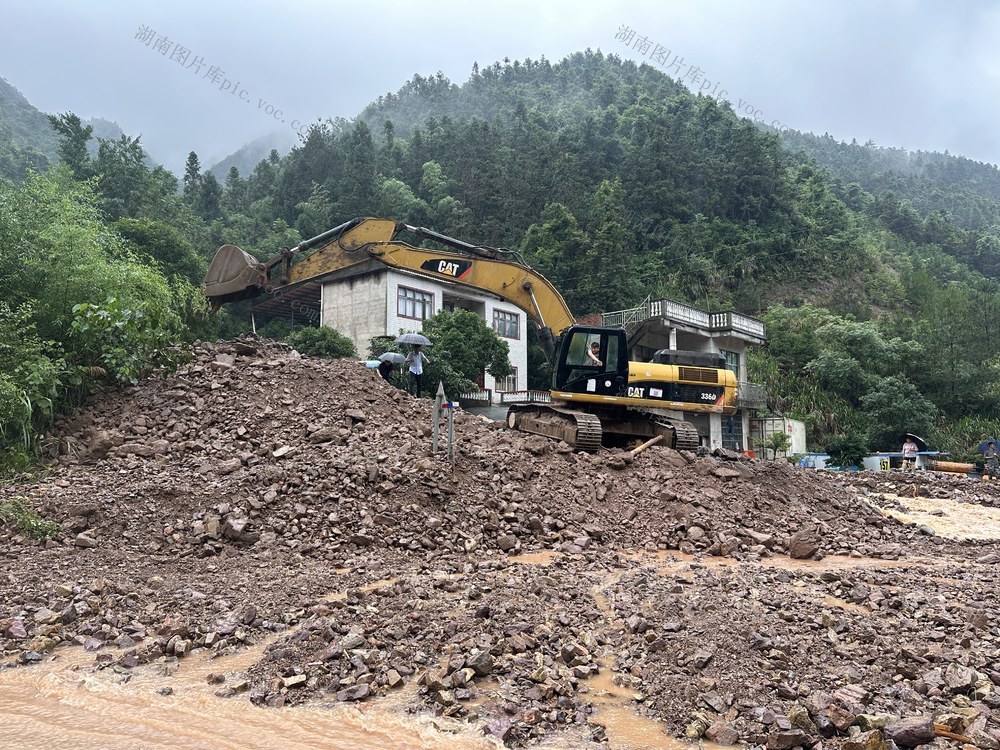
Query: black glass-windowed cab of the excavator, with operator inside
(592, 361)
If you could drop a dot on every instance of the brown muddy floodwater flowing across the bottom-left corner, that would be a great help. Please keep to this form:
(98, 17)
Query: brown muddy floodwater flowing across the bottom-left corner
(60, 704)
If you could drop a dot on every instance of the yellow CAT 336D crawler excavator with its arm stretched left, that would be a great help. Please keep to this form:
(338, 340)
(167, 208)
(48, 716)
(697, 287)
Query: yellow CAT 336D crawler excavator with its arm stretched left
(597, 393)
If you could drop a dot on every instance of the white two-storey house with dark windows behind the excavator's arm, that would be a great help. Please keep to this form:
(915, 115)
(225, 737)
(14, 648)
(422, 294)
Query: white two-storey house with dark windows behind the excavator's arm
(371, 300)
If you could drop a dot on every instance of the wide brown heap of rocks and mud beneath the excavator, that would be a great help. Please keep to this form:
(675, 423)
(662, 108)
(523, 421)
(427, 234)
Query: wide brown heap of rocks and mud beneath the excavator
(259, 496)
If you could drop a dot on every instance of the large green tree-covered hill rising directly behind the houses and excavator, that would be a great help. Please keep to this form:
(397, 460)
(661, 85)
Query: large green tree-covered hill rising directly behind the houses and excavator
(616, 183)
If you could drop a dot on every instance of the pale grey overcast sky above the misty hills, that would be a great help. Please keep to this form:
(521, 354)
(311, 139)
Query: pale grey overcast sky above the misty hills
(916, 74)
